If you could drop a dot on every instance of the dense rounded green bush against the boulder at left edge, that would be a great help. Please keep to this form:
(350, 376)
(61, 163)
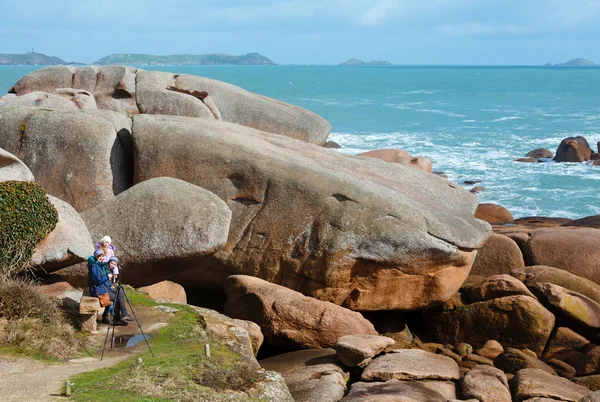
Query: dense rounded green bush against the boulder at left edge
(26, 217)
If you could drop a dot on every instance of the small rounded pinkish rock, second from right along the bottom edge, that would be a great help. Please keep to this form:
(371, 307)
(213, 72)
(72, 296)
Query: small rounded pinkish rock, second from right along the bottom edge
(486, 384)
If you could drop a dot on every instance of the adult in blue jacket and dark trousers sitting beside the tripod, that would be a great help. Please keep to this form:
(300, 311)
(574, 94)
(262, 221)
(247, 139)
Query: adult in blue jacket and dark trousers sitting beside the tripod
(99, 284)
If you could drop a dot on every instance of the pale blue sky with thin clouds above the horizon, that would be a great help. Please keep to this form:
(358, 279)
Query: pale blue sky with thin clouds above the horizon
(468, 32)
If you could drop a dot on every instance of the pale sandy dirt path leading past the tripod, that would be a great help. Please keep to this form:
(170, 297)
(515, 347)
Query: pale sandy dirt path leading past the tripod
(24, 379)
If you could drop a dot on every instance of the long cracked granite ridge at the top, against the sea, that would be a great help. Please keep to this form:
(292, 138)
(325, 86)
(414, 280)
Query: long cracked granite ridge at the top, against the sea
(131, 91)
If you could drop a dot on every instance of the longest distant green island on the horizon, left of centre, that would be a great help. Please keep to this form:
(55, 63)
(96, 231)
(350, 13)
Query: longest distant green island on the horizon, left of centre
(186, 59)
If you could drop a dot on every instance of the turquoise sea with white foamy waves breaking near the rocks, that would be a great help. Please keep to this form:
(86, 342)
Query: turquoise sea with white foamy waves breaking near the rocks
(472, 122)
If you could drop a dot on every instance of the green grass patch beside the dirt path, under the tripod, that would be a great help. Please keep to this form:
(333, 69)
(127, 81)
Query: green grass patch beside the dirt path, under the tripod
(179, 370)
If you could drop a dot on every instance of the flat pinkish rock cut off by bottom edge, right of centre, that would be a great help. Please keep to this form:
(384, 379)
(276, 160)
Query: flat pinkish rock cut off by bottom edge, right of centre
(401, 391)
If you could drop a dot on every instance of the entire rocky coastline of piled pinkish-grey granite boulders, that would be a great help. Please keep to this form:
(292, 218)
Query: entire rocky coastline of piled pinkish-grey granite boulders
(367, 278)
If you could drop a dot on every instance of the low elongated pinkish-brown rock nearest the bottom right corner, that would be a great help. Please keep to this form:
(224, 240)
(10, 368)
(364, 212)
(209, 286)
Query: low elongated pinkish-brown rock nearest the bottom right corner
(532, 383)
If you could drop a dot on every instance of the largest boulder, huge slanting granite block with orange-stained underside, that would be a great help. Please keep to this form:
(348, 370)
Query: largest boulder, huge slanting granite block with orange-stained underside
(365, 234)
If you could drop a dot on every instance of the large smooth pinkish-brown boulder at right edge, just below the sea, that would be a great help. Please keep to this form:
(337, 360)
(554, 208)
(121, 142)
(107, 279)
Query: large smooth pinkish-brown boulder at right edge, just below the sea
(576, 250)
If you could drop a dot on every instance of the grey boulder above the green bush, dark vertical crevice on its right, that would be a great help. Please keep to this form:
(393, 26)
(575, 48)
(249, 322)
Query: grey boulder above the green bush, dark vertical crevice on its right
(78, 157)
